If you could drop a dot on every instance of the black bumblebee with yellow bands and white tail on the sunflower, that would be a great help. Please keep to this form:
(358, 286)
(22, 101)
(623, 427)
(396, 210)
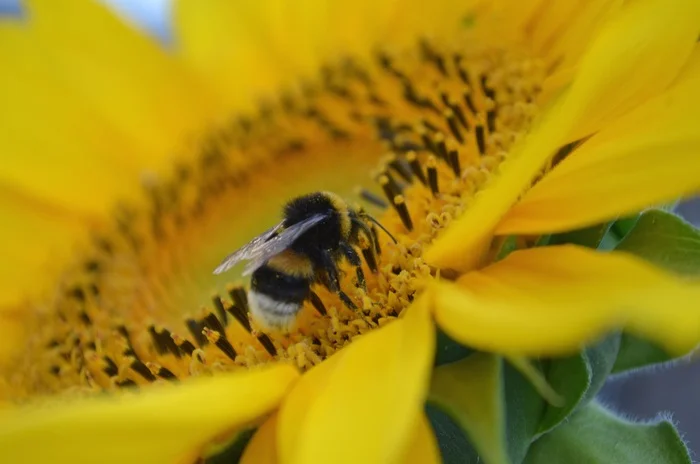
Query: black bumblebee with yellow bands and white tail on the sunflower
(318, 231)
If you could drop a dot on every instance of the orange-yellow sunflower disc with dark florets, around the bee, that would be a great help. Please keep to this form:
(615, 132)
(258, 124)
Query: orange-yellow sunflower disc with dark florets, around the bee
(429, 127)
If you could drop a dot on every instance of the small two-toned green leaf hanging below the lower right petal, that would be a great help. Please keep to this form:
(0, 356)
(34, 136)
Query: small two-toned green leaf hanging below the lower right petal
(578, 378)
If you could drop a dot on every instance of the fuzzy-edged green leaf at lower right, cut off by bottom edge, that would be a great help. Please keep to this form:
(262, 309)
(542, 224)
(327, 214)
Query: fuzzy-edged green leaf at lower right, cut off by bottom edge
(594, 435)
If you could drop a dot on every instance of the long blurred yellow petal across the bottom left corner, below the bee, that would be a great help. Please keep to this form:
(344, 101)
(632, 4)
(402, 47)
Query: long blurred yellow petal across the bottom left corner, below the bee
(166, 424)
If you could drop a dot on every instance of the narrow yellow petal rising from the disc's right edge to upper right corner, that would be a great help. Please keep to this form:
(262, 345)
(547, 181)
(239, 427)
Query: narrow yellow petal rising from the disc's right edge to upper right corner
(641, 51)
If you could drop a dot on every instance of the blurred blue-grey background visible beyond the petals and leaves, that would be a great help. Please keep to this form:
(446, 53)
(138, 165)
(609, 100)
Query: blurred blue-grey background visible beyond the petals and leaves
(671, 390)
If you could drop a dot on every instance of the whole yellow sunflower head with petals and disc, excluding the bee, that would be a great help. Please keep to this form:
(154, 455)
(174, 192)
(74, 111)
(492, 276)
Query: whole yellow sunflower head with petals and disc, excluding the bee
(467, 125)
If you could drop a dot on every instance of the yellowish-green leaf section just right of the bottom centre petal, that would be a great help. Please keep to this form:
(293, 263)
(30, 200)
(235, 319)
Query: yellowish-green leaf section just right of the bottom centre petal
(470, 392)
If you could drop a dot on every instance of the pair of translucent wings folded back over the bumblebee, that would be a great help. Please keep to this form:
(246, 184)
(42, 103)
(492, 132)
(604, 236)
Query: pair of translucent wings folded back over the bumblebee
(267, 245)
